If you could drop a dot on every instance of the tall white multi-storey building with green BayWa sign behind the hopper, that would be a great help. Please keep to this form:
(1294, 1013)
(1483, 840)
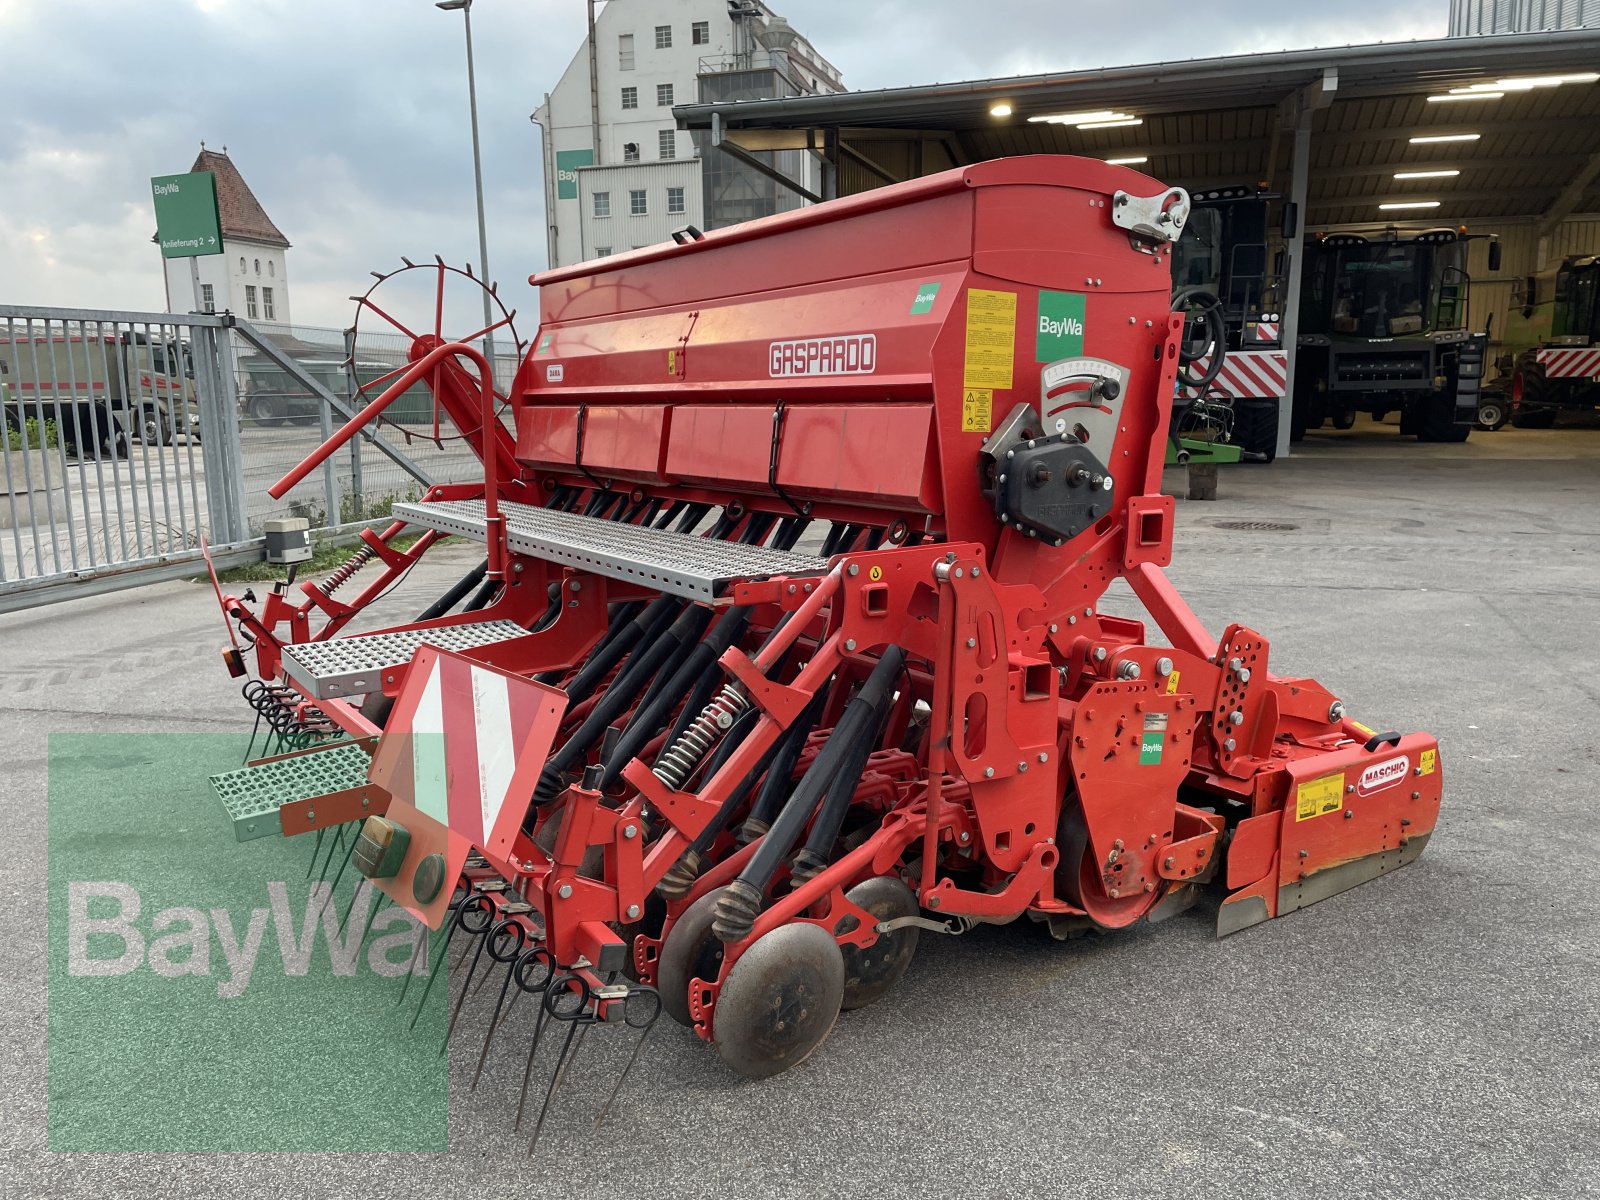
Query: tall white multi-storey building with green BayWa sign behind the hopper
(618, 174)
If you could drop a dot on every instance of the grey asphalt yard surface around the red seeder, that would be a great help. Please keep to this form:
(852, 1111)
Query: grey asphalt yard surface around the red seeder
(1430, 1034)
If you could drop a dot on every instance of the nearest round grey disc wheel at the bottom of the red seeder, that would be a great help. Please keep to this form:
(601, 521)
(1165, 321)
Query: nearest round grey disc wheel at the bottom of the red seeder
(780, 1002)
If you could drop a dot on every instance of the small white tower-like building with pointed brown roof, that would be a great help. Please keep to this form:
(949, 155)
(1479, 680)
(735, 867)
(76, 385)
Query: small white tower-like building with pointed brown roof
(250, 278)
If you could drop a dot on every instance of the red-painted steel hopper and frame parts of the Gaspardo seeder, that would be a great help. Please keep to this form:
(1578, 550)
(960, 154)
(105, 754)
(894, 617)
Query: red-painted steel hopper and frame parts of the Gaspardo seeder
(670, 374)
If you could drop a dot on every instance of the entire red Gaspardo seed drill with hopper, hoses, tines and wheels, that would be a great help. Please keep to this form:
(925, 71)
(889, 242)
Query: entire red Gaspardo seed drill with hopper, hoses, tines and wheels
(788, 644)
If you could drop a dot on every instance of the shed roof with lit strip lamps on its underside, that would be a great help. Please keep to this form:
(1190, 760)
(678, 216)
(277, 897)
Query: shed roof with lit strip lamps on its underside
(1214, 121)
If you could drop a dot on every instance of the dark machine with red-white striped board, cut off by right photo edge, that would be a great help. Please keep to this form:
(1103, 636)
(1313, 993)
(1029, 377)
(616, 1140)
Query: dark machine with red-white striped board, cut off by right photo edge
(1551, 348)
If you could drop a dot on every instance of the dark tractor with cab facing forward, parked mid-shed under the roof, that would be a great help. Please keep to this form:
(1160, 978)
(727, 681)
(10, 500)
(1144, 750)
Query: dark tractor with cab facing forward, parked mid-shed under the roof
(1383, 329)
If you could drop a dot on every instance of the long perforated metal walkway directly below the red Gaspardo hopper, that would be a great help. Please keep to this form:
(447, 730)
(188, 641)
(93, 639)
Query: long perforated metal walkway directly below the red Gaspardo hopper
(698, 569)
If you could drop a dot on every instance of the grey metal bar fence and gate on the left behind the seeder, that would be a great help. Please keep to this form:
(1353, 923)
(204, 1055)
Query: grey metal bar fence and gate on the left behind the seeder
(134, 436)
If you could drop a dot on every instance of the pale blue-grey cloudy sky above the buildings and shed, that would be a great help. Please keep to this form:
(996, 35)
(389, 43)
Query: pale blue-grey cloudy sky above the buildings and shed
(350, 118)
